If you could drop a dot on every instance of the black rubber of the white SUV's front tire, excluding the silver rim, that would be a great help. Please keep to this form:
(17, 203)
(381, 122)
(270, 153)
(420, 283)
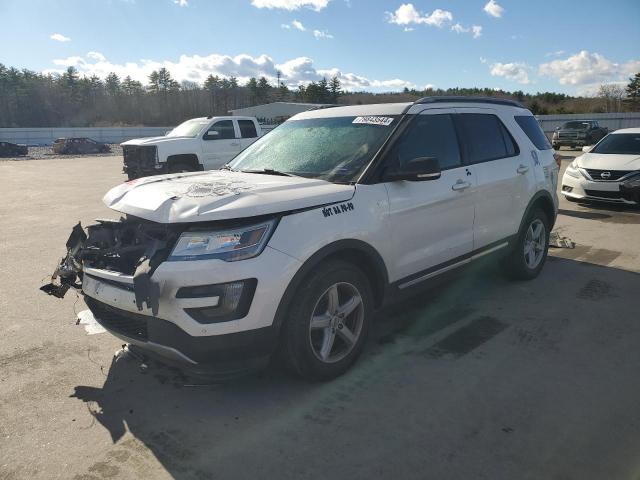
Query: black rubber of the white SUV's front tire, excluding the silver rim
(298, 349)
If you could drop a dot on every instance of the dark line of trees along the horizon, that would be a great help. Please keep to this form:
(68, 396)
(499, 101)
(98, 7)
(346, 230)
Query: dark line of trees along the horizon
(32, 99)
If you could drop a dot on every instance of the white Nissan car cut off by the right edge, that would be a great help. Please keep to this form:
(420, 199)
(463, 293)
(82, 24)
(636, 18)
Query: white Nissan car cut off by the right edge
(599, 173)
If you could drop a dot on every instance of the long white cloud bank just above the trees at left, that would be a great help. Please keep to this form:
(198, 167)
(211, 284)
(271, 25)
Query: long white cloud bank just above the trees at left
(196, 68)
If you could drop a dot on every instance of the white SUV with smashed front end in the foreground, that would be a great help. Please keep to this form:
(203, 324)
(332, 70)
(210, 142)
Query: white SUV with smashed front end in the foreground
(312, 228)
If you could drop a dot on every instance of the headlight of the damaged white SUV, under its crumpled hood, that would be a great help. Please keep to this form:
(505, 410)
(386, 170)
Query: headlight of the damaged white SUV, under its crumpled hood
(229, 245)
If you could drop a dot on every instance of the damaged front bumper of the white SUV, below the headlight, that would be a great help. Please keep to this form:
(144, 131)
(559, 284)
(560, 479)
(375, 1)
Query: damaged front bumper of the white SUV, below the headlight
(175, 334)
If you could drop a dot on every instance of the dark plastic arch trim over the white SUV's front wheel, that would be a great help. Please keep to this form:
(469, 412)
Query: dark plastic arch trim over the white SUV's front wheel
(356, 252)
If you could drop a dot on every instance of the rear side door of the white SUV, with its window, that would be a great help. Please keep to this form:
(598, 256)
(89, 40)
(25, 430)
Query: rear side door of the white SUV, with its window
(503, 174)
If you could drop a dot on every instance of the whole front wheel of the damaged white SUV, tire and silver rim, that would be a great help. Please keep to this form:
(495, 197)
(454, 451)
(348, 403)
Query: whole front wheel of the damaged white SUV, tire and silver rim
(326, 347)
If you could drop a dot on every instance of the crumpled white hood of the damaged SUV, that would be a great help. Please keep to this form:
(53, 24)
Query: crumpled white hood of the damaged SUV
(220, 195)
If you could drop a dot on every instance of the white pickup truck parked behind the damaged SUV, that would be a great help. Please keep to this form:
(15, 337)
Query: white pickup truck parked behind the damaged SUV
(205, 143)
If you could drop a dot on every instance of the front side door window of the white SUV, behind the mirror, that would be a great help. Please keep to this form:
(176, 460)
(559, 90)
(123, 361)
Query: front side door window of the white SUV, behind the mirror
(429, 136)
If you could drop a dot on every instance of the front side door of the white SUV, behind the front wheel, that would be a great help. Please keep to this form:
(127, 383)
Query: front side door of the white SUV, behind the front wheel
(431, 221)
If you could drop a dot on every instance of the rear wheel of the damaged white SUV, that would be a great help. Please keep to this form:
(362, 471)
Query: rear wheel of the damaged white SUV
(526, 265)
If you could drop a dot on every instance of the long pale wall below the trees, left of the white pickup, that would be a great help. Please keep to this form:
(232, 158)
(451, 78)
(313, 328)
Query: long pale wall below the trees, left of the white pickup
(46, 136)
